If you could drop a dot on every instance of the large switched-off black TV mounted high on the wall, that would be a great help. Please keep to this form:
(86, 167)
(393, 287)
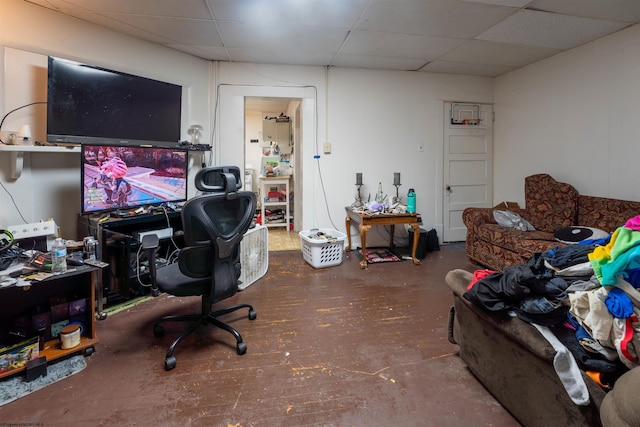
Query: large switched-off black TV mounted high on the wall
(93, 105)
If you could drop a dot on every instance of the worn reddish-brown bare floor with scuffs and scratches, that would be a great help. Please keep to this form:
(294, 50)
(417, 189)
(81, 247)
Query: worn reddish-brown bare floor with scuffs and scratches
(338, 346)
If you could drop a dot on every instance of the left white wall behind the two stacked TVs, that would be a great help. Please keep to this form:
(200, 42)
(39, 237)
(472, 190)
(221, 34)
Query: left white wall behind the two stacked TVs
(49, 186)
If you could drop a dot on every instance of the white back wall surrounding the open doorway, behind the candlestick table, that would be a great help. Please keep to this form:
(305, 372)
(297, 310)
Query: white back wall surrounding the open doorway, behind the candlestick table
(374, 121)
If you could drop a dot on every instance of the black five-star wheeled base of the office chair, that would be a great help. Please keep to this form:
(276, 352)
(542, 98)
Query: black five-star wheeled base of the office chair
(198, 320)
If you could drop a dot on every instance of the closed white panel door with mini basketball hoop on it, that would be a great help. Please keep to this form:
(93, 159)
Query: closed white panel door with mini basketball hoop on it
(467, 169)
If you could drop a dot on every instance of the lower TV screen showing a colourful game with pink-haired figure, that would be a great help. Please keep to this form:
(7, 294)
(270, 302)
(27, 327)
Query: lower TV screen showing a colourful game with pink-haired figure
(126, 177)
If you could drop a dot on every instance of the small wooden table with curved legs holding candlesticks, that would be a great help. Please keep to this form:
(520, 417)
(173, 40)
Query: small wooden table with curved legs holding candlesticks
(366, 221)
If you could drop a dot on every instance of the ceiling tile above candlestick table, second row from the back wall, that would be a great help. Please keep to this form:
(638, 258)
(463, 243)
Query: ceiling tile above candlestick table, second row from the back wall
(393, 44)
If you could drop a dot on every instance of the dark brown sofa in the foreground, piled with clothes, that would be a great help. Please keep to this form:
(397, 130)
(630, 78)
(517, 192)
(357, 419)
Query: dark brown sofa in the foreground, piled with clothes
(514, 362)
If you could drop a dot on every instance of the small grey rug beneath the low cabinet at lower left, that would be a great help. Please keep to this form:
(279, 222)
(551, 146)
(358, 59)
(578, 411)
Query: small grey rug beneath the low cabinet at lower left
(17, 386)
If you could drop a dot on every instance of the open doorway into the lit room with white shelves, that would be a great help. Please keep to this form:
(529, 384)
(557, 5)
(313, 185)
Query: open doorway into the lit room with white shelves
(261, 113)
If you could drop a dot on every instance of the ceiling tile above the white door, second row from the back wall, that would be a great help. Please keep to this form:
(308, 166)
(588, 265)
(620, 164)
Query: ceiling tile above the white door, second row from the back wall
(505, 54)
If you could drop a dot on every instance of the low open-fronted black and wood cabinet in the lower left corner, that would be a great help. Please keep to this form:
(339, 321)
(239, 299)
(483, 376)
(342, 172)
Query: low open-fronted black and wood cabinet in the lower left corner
(20, 302)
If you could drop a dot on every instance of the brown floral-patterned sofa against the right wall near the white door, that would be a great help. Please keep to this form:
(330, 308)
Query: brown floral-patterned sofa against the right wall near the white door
(549, 206)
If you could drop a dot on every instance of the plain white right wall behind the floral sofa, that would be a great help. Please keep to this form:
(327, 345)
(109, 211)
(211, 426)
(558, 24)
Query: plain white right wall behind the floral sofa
(575, 116)
